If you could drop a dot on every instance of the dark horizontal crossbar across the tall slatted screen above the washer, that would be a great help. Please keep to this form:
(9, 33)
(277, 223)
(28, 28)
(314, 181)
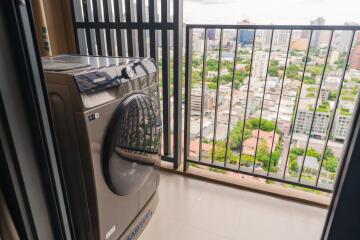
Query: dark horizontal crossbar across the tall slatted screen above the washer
(126, 25)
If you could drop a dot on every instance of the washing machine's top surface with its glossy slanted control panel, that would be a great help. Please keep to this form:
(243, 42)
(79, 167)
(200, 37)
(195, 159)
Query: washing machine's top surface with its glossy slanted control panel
(94, 74)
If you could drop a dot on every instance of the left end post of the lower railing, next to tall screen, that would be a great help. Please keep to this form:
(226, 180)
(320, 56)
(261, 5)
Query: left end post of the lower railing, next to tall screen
(188, 77)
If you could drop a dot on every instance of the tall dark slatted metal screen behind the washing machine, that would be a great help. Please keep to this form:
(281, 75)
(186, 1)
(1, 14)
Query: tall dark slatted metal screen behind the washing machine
(139, 28)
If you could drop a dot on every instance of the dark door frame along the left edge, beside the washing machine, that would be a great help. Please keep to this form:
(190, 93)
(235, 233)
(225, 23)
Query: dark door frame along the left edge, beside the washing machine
(29, 174)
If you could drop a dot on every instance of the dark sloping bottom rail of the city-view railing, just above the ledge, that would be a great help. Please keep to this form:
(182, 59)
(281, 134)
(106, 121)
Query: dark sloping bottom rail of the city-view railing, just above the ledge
(260, 176)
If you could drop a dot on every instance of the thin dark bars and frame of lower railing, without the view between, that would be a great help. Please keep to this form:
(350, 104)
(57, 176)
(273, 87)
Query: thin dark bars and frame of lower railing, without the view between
(188, 84)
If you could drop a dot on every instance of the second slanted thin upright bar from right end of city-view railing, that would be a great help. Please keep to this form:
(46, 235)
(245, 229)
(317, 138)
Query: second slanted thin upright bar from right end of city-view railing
(316, 102)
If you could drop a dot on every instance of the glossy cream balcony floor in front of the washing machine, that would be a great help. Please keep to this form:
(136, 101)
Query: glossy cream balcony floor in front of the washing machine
(193, 209)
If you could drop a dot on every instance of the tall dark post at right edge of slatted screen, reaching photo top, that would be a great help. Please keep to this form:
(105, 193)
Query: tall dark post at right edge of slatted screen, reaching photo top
(177, 9)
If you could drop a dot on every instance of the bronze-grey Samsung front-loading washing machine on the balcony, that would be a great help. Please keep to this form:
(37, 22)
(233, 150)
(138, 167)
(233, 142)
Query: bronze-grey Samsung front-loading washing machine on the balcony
(107, 122)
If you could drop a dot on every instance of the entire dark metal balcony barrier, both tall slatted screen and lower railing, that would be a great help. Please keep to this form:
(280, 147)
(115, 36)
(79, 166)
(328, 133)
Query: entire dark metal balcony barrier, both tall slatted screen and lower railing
(269, 101)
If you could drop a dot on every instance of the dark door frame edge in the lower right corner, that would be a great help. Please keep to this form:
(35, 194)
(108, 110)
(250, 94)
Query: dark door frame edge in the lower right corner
(343, 219)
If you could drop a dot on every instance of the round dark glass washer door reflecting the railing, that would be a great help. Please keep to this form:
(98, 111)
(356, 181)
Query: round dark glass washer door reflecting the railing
(132, 144)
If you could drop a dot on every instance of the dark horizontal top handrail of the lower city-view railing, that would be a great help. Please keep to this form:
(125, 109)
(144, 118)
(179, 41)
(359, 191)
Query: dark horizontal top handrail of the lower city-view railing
(277, 27)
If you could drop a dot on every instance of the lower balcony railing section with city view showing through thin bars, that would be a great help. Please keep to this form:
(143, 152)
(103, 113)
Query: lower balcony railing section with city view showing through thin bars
(270, 101)
